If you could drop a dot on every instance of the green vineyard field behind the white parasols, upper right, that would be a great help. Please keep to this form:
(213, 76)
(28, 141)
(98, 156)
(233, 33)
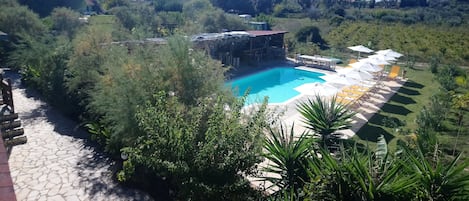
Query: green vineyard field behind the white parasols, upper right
(418, 41)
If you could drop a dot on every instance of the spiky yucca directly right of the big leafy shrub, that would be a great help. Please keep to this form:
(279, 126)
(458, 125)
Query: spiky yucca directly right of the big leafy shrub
(288, 157)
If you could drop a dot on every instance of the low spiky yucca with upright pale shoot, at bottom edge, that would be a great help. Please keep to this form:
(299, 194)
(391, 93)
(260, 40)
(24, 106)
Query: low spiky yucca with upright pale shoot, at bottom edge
(377, 176)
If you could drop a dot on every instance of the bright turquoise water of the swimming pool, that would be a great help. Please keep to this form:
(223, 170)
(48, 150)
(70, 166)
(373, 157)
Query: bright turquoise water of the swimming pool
(276, 83)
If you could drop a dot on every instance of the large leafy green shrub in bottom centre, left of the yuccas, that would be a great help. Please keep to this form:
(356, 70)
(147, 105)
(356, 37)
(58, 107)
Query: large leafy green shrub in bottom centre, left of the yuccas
(202, 151)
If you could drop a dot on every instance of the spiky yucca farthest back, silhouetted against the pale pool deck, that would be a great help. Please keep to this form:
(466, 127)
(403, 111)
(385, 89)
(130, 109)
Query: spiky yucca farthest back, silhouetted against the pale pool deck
(325, 117)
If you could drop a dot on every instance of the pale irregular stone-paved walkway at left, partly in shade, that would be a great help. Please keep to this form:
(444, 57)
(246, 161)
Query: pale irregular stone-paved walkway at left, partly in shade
(57, 163)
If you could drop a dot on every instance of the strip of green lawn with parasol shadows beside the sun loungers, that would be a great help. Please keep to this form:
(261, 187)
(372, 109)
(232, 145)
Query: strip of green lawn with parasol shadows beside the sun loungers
(402, 109)
